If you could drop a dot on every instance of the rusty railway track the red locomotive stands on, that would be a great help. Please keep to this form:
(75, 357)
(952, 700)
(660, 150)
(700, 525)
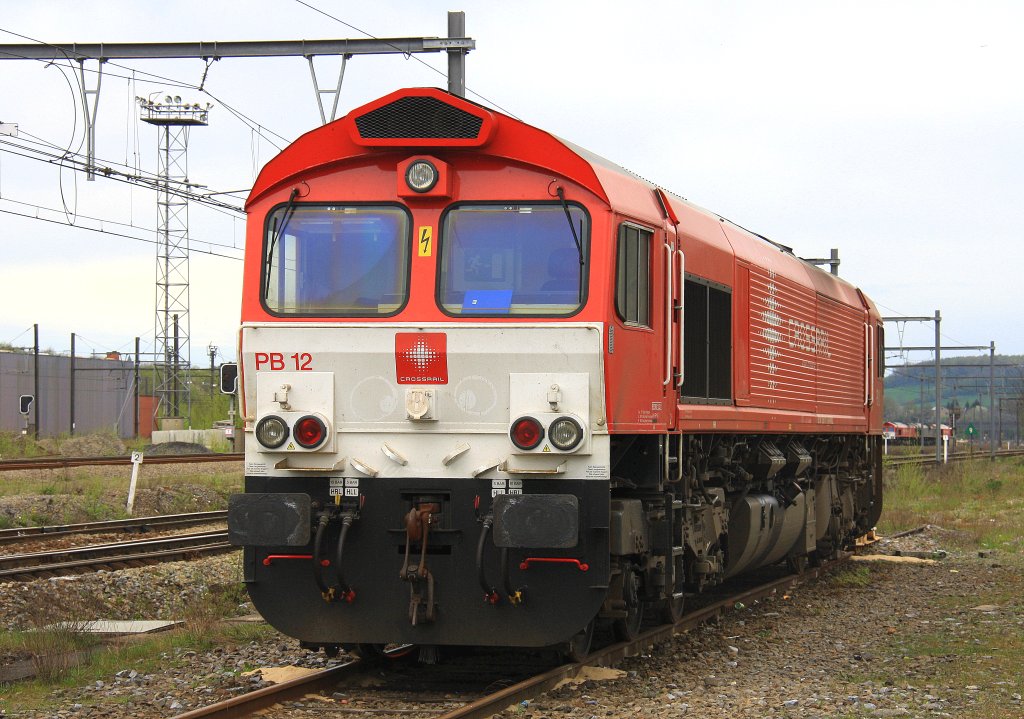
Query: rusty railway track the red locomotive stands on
(403, 699)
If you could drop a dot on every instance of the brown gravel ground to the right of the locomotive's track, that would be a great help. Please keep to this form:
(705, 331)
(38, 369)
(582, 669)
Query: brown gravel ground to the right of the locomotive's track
(831, 649)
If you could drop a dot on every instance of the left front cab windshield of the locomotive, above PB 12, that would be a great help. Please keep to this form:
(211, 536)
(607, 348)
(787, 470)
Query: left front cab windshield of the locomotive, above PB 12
(336, 261)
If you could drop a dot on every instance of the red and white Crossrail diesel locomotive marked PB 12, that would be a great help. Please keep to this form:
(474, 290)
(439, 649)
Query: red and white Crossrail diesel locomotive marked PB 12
(497, 390)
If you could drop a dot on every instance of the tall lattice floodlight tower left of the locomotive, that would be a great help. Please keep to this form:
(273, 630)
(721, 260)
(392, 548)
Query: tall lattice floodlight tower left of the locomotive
(175, 119)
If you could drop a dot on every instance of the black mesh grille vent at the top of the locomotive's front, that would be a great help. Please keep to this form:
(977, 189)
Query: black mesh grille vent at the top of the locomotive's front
(420, 118)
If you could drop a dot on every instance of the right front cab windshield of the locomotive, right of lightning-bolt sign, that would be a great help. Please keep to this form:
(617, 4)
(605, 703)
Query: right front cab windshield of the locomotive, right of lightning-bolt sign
(514, 260)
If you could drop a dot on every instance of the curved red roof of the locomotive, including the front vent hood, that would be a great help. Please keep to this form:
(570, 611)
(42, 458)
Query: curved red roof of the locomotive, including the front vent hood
(432, 118)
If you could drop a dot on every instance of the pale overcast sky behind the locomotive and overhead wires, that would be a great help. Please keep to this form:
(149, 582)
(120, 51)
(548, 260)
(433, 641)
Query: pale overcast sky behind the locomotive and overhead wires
(892, 131)
